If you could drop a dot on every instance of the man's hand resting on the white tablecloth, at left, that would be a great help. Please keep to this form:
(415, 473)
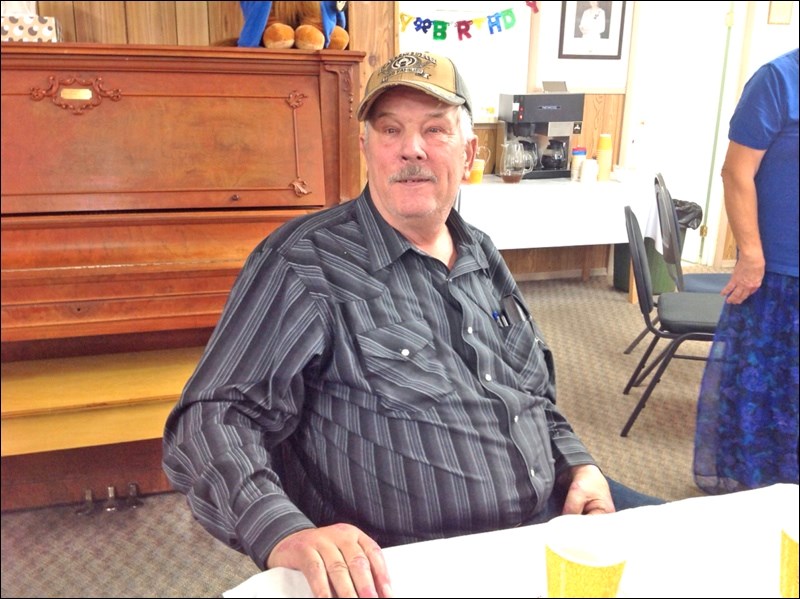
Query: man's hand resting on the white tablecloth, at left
(337, 561)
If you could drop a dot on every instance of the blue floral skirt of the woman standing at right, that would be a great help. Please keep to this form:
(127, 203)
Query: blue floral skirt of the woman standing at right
(747, 413)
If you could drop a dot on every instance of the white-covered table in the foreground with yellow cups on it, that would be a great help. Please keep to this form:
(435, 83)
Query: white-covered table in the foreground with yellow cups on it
(724, 546)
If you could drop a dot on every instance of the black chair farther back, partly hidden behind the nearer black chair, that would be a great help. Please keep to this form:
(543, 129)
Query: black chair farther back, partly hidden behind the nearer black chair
(671, 251)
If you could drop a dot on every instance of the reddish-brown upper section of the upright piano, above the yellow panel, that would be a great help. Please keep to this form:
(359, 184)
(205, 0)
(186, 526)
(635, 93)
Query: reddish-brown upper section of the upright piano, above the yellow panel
(136, 179)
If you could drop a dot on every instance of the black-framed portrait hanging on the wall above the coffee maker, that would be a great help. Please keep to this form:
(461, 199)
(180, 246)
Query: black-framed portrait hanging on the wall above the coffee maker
(591, 30)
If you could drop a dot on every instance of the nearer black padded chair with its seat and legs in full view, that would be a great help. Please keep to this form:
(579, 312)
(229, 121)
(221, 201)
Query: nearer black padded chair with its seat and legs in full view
(680, 317)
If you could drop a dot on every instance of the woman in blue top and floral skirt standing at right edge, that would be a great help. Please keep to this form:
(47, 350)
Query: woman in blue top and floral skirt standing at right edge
(747, 419)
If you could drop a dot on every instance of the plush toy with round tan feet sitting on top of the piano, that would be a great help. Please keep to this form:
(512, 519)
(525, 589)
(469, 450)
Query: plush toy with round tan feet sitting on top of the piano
(303, 25)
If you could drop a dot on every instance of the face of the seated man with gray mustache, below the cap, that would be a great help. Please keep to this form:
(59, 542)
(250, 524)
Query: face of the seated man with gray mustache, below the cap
(416, 157)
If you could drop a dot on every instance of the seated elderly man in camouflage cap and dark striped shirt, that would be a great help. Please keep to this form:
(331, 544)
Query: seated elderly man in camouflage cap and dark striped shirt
(375, 378)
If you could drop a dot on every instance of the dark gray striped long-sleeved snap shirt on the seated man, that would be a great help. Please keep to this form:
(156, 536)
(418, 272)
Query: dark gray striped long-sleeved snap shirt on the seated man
(353, 378)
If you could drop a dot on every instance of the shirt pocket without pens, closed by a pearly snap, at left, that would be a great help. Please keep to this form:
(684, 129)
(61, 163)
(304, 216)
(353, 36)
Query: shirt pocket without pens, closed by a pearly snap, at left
(402, 367)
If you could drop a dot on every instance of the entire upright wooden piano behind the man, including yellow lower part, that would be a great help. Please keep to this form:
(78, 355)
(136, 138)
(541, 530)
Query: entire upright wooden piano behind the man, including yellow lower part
(136, 180)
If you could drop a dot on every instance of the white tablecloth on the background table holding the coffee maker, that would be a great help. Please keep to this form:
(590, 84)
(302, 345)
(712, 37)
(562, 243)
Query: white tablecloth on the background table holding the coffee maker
(539, 213)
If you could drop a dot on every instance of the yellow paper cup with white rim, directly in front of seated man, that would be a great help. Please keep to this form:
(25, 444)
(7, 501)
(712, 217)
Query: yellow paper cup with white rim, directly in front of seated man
(582, 559)
